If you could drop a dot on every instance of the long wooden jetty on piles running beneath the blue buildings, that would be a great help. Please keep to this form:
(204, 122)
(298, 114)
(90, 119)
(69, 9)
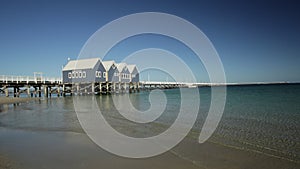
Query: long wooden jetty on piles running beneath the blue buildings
(38, 86)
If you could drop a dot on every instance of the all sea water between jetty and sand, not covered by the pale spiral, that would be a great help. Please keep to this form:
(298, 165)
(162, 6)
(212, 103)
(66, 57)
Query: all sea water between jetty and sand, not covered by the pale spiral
(259, 118)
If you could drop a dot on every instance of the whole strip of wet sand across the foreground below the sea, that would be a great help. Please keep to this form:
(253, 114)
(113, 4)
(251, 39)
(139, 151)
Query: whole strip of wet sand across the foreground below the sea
(52, 149)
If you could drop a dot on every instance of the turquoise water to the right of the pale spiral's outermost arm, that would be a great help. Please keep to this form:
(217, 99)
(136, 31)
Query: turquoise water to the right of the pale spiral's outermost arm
(263, 118)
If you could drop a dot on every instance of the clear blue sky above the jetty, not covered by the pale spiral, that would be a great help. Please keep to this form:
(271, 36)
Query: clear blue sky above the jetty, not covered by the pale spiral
(256, 41)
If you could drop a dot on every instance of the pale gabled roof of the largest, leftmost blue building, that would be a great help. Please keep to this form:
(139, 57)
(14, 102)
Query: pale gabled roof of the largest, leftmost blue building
(81, 64)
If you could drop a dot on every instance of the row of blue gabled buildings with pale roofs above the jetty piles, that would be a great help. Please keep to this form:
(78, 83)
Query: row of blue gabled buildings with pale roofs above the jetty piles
(95, 76)
